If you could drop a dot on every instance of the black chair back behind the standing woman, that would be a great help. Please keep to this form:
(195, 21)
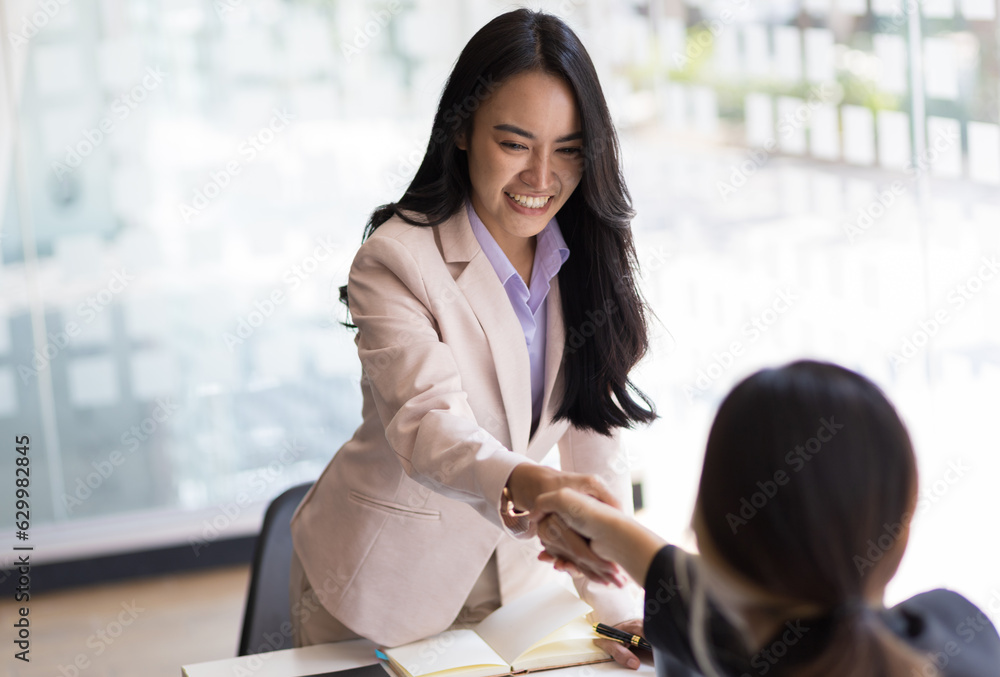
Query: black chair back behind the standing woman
(267, 600)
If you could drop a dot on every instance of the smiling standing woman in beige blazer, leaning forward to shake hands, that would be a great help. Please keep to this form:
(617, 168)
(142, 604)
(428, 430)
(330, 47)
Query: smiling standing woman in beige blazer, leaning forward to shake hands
(488, 332)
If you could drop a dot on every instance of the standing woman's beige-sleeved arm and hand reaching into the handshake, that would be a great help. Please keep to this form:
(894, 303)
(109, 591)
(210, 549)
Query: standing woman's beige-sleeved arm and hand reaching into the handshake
(417, 389)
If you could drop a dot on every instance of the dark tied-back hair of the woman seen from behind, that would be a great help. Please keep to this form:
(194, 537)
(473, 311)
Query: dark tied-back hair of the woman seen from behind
(807, 490)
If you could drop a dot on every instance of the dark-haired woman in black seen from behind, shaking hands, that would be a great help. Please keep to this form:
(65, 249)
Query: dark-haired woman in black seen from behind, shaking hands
(802, 516)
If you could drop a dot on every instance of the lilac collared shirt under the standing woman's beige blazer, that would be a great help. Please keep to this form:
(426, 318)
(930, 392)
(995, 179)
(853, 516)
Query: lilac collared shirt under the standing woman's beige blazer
(550, 253)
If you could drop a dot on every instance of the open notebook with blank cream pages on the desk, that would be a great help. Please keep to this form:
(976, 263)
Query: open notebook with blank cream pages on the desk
(541, 630)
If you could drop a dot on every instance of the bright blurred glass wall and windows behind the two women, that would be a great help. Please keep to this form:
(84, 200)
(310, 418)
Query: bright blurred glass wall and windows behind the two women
(183, 186)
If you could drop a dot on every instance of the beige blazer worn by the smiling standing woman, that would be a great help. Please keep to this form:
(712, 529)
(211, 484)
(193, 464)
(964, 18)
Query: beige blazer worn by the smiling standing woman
(402, 521)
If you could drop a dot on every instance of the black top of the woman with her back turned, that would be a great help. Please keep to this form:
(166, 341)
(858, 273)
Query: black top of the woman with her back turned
(959, 637)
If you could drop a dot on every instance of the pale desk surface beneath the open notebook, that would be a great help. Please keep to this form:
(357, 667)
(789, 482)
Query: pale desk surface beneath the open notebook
(321, 658)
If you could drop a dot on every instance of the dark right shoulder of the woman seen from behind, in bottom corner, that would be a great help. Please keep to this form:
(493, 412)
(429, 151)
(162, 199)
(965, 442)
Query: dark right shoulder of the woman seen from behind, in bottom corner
(959, 637)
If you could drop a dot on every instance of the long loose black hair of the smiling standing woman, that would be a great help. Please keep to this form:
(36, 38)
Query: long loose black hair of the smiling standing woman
(603, 311)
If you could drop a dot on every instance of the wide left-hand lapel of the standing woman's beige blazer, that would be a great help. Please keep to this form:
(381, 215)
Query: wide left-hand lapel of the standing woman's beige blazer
(489, 301)
